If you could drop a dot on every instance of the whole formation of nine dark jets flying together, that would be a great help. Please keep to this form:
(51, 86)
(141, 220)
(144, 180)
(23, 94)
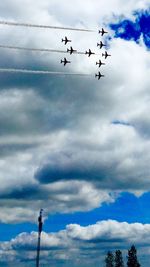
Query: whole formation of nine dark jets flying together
(89, 53)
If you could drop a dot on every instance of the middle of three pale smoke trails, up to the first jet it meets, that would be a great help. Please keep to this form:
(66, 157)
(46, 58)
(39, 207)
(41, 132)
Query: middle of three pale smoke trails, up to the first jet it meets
(32, 49)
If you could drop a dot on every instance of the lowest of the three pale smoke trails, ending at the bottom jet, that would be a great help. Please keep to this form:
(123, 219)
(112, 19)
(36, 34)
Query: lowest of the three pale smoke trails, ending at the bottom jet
(13, 70)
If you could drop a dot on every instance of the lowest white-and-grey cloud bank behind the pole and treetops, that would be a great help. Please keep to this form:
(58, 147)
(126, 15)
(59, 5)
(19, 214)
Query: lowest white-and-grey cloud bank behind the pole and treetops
(78, 244)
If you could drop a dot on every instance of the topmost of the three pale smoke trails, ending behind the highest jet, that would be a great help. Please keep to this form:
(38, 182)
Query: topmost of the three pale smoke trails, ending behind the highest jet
(43, 26)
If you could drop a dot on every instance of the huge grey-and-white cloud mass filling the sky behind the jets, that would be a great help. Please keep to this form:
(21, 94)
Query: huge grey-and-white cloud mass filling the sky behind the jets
(60, 145)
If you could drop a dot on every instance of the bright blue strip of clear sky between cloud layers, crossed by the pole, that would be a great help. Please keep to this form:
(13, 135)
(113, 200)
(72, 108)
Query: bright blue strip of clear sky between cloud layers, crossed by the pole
(127, 208)
